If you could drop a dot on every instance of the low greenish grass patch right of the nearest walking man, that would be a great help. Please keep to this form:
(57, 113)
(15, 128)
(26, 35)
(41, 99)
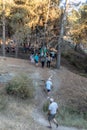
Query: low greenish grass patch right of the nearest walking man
(71, 117)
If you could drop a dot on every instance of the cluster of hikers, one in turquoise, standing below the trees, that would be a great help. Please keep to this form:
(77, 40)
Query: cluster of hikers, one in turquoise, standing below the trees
(44, 57)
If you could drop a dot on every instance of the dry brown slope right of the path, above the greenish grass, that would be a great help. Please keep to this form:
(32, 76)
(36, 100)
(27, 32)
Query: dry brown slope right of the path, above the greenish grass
(73, 92)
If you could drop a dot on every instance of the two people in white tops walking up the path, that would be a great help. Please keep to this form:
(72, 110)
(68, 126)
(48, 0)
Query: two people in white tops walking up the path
(53, 106)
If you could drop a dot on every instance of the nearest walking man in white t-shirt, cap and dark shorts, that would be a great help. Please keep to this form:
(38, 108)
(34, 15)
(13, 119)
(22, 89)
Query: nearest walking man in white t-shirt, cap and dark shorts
(52, 110)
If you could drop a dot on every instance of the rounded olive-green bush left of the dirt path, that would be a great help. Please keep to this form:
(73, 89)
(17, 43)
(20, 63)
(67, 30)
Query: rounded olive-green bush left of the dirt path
(20, 86)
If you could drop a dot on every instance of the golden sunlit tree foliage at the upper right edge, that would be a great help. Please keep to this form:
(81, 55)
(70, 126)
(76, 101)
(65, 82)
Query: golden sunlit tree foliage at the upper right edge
(79, 28)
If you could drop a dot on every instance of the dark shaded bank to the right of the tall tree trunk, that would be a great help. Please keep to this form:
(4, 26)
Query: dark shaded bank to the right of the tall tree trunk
(76, 60)
